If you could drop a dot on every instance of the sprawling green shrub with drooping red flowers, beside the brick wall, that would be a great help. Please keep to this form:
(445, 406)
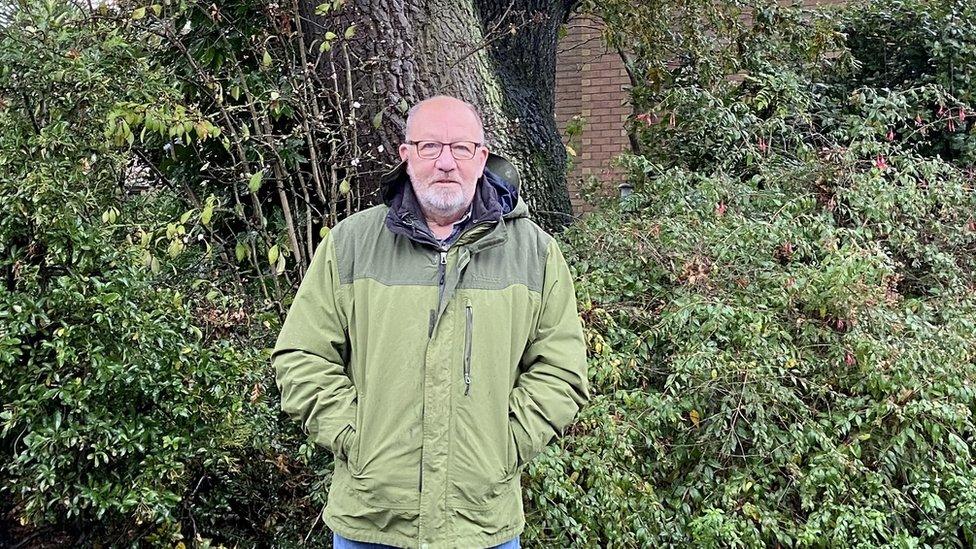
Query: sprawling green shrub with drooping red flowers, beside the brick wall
(781, 319)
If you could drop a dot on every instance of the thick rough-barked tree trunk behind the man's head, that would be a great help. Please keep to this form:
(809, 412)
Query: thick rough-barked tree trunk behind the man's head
(500, 56)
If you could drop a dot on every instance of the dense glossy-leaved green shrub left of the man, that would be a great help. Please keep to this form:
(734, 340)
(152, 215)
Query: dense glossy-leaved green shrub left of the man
(134, 398)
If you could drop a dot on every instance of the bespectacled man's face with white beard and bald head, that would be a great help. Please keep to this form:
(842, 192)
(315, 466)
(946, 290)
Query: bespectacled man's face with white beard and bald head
(444, 185)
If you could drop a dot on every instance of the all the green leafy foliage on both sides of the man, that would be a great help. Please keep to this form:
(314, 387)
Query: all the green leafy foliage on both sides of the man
(780, 320)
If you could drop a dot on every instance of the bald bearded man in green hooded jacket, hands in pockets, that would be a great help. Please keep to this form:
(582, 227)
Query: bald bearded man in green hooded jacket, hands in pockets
(434, 346)
